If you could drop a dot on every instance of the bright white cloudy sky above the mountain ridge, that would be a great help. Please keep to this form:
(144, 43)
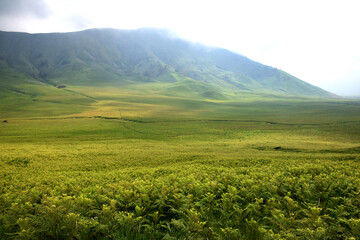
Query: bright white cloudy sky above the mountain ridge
(317, 41)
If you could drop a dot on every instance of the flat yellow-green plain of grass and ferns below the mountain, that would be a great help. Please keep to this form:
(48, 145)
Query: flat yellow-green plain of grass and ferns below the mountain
(115, 164)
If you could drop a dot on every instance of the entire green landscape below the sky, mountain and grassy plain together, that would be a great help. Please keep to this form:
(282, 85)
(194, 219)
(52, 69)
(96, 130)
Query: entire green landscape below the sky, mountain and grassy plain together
(108, 134)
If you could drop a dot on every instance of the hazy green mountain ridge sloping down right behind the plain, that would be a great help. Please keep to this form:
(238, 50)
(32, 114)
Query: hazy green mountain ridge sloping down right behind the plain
(147, 59)
